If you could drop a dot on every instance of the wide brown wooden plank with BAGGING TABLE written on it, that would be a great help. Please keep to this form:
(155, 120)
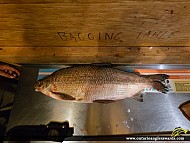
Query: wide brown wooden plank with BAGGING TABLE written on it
(94, 23)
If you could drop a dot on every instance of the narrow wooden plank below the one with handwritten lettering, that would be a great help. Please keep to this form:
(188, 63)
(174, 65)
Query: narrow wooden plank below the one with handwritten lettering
(128, 55)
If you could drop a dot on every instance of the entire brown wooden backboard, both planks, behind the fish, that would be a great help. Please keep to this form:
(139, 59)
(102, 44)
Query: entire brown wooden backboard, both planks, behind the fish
(81, 31)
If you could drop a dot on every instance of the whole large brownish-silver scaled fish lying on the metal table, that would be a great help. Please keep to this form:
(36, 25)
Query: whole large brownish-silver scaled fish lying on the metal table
(101, 84)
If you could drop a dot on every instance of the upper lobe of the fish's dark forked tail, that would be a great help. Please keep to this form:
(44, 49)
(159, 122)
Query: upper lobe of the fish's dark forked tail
(157, 77)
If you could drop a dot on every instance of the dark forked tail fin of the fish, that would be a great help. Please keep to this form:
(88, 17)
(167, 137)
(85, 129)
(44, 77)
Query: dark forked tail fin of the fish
(159, 82)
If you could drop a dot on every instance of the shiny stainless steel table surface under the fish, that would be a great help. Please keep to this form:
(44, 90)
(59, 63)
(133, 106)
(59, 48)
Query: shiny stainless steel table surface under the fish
(158, 112)
